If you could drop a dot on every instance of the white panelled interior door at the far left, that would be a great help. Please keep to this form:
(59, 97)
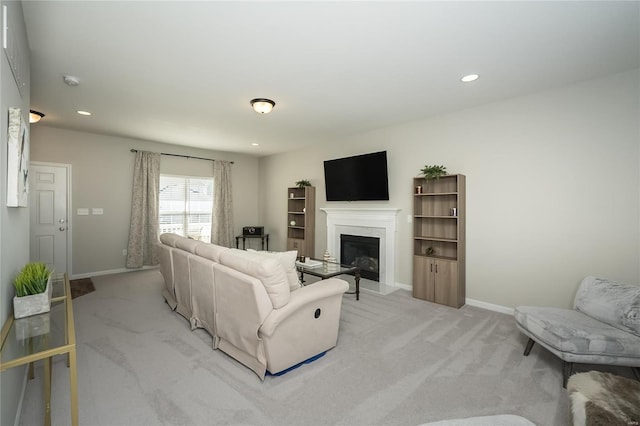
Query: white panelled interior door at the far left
(49, 224)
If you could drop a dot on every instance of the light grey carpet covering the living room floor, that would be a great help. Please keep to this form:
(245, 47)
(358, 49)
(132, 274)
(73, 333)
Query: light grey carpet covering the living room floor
(399, 361)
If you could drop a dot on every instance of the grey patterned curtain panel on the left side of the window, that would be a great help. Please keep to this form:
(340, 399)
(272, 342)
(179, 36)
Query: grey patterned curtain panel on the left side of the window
(144, 228)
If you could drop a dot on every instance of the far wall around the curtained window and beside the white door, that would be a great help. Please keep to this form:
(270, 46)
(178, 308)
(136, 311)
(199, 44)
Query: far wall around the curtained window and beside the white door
(102, 170)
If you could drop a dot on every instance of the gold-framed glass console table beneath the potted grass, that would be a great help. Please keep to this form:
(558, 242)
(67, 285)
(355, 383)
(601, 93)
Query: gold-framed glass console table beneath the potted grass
(41, 337)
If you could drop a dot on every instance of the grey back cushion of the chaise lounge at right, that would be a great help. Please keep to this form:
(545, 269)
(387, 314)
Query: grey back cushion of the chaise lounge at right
(613, 303)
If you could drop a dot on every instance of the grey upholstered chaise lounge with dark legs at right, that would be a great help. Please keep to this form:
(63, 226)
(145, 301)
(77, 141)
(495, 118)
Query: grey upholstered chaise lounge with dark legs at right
(602, 328)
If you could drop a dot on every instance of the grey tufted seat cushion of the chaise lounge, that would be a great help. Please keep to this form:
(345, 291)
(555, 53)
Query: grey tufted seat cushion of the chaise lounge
(570, 331)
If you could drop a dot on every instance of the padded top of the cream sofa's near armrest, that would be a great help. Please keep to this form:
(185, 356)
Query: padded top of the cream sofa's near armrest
(302, 298)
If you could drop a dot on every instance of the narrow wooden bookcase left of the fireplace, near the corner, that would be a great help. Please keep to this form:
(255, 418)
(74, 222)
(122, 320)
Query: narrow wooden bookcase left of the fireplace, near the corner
(301, 210)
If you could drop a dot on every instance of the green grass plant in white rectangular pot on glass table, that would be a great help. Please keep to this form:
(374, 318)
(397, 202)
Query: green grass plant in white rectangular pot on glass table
(33, 290)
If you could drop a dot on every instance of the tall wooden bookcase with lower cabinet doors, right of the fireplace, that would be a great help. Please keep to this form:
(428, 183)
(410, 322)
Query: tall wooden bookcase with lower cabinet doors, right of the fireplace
(439, 240)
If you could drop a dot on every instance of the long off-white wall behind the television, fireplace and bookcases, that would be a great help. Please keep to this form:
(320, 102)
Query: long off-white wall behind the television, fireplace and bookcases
(552, 187)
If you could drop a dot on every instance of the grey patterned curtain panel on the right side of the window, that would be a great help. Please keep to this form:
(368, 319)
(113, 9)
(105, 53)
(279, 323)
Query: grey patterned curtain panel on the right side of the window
(222, 214)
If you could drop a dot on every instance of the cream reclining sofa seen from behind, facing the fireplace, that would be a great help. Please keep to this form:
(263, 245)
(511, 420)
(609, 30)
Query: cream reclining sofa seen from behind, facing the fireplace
(251, 303)
